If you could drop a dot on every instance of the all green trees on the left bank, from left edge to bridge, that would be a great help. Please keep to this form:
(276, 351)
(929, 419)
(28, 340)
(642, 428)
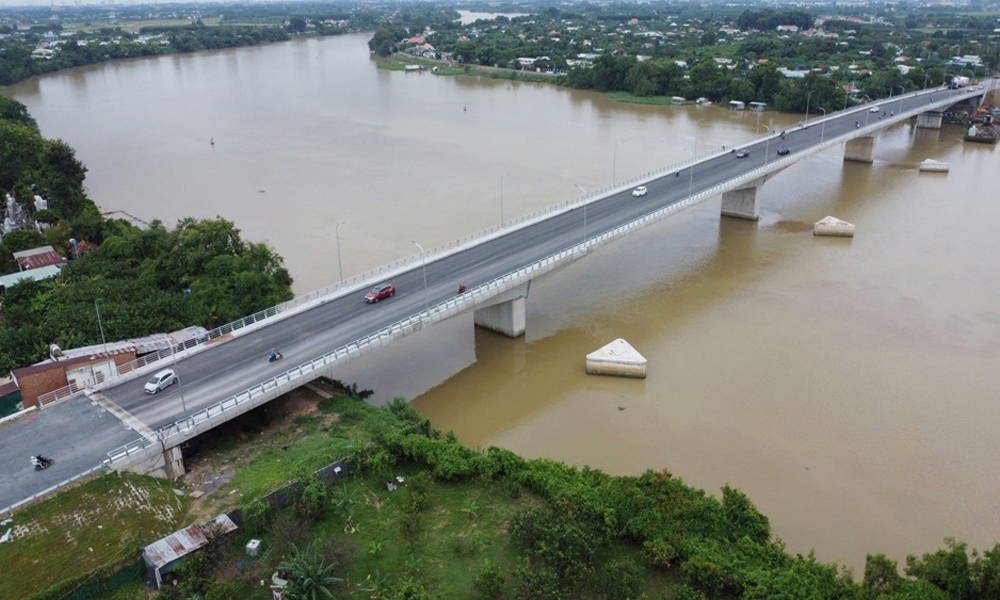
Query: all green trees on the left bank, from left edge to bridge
(146, 280)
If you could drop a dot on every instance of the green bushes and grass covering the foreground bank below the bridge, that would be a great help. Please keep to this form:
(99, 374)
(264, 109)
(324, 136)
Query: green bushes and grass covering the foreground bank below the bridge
(422, 516)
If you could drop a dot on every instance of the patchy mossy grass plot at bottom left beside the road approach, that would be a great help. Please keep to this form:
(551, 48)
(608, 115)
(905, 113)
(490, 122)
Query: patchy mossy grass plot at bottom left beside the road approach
(90, 529)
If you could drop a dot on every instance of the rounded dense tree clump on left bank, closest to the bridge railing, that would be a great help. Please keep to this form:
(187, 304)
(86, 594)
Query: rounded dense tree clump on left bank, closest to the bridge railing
(147, 281)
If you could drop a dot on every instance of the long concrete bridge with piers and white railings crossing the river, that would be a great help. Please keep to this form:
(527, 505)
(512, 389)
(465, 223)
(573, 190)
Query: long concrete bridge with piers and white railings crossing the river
(324, 329)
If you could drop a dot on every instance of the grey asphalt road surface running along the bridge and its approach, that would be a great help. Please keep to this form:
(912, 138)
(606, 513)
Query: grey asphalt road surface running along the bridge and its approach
(78, 434)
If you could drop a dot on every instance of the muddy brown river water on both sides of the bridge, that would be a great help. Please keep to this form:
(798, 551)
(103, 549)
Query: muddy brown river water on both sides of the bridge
(850, 387)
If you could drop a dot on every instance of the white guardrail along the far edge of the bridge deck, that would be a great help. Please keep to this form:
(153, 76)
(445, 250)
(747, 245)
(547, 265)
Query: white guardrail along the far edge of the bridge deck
(362, 280)
